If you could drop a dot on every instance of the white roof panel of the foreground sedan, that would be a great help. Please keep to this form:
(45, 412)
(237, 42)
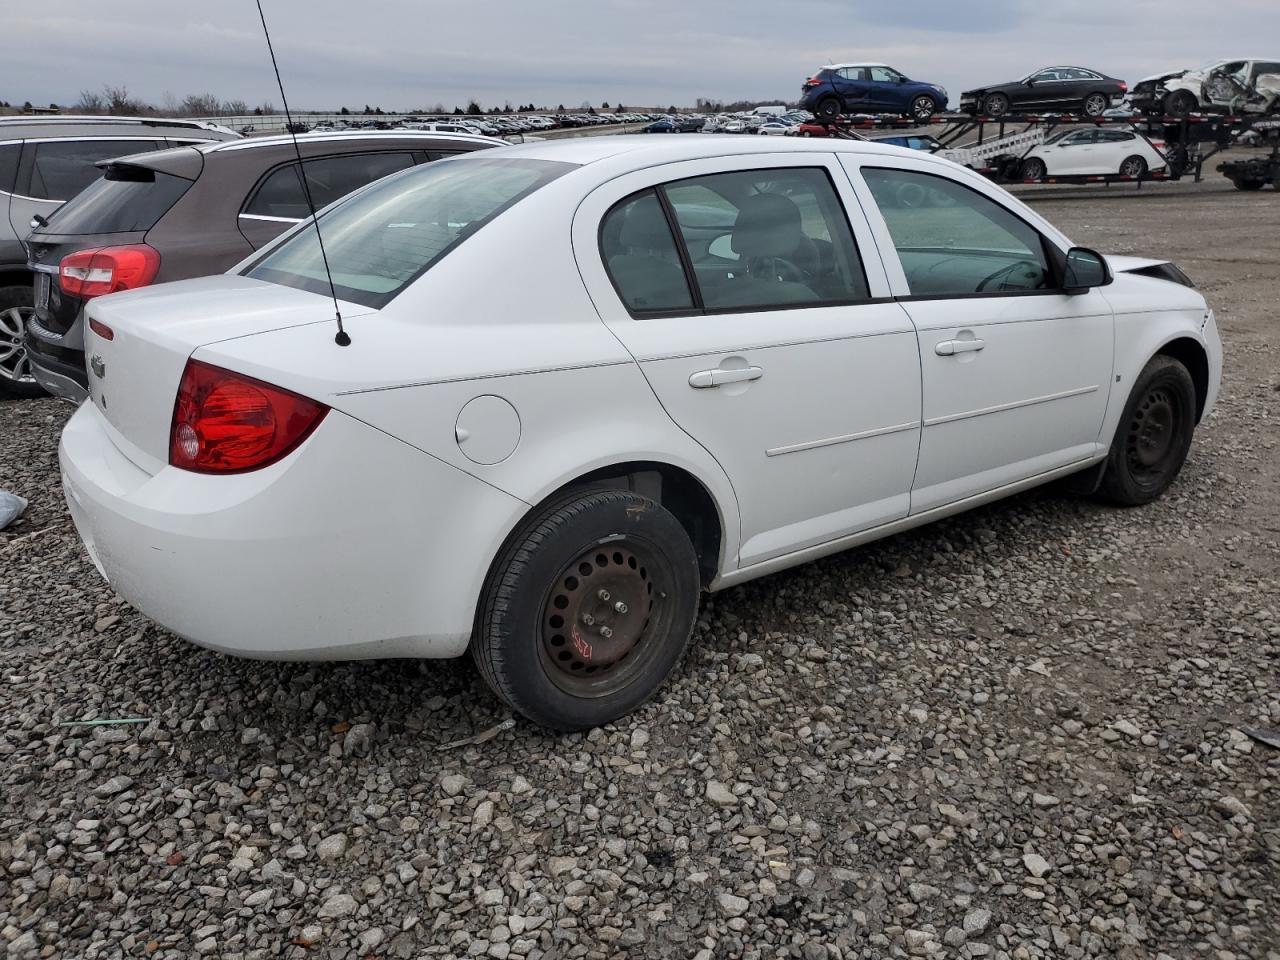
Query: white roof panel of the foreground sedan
(648, 150)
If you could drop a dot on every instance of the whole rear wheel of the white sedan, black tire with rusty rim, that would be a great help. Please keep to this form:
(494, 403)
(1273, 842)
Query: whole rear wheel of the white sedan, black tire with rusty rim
(604, 559)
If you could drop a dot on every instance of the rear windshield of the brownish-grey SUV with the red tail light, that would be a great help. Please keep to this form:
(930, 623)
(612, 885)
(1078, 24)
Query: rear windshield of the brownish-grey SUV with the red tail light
(126, 200)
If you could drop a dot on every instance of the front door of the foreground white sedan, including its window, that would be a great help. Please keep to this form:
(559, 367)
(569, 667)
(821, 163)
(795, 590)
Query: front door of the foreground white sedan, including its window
(1016, 373)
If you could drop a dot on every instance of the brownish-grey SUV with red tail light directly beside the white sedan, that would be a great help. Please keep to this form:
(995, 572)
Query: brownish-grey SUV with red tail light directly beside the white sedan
(193, 212)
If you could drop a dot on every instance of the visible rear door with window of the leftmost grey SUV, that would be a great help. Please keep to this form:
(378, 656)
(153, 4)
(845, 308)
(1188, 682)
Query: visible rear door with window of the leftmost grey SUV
(52, 172)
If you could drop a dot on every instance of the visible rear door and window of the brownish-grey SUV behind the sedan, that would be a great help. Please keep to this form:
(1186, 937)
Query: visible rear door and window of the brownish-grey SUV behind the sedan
(278, 202)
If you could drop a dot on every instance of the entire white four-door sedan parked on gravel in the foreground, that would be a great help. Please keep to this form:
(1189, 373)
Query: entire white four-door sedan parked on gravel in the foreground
(700, 362)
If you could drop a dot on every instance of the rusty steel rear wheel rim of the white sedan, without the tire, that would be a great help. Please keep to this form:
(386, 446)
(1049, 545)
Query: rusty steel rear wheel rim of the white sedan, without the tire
(602, 618)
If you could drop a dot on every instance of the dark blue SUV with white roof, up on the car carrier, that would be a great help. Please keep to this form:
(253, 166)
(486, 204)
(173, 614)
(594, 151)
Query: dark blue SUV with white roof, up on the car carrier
(872, 89)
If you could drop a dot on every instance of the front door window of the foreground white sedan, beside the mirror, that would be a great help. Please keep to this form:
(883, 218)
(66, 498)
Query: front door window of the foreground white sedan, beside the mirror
(954, 241)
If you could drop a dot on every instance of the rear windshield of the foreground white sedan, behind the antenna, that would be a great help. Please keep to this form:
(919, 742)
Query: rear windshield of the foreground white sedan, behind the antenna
(387, 236)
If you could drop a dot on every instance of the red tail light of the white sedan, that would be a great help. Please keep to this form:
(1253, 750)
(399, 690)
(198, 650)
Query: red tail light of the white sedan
(226, 423)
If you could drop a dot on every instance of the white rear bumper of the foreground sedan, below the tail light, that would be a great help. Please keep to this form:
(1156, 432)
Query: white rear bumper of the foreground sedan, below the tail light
(356, 546)
